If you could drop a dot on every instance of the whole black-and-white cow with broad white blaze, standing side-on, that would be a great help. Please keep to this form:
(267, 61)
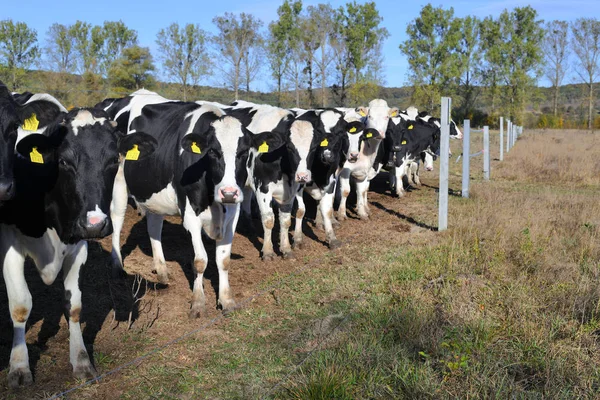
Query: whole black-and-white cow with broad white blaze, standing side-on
(198, 172)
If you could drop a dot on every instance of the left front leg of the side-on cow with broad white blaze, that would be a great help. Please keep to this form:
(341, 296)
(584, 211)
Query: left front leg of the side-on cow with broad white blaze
(193, 224)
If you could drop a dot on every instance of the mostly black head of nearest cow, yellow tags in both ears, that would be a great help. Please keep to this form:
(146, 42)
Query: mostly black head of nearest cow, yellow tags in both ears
(85, 157)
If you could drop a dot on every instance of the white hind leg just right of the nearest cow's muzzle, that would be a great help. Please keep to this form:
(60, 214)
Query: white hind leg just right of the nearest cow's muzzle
(118, 208)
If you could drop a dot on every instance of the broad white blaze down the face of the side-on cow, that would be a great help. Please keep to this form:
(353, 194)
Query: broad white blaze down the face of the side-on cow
(228, 131)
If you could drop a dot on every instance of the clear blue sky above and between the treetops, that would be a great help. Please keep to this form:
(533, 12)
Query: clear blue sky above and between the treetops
(149, 16)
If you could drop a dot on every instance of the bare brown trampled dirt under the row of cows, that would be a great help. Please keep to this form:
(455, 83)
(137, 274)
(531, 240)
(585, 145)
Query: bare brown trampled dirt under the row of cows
(116, 308)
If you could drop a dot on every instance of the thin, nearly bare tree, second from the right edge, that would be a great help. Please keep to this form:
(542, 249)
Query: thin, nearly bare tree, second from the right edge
(556, 50)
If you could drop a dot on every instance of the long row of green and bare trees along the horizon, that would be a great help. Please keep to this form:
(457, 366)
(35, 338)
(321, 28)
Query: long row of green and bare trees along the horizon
(320, 56)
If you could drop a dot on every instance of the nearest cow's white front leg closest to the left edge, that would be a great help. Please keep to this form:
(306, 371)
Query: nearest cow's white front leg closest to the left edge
(19, 304)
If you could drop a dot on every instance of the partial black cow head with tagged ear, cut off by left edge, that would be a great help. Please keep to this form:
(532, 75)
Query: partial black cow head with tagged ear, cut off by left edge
(18, 118)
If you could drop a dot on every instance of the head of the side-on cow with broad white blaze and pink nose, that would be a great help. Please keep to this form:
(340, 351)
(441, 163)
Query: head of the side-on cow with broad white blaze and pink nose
(225, 147)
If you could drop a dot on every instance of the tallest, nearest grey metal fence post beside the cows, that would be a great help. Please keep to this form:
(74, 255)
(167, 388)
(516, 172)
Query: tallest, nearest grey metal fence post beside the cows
(444, 164)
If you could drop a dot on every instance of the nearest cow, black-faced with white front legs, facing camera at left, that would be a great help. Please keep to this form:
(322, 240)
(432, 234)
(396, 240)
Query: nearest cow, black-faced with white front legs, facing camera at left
(63, 178)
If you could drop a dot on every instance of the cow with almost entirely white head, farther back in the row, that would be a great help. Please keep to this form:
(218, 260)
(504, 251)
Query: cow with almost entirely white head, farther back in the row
(361, 158)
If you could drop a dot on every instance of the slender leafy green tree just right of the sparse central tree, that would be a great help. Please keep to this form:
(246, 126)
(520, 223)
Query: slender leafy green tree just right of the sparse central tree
(283, 34)
